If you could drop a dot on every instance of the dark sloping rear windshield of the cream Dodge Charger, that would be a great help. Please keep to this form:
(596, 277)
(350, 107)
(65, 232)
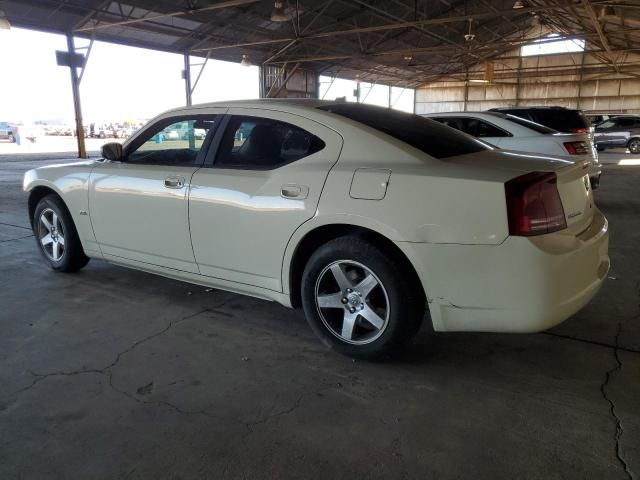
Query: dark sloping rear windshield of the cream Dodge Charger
(426, 135)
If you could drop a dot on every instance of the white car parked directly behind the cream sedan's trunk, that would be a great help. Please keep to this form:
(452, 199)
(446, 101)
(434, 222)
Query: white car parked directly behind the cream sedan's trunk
(514, 133)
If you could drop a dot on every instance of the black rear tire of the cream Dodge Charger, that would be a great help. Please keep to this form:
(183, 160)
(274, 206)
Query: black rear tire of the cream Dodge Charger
(404, 299)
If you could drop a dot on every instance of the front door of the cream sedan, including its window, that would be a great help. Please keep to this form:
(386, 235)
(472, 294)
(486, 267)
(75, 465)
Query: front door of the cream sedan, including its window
(139, 206)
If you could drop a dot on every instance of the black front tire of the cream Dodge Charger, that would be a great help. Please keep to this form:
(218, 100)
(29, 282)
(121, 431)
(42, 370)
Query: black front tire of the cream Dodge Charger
(71, 257)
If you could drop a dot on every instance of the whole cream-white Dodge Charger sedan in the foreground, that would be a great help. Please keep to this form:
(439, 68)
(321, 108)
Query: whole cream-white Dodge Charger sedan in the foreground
(370, 219)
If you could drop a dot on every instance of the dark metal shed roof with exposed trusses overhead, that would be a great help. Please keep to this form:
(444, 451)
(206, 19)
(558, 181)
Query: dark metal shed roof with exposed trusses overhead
(399, 42)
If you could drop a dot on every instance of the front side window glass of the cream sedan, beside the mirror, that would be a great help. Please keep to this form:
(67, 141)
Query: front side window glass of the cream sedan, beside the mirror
(172, 142)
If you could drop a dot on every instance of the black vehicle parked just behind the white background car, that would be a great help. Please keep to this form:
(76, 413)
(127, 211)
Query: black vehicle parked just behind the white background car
(565, 120)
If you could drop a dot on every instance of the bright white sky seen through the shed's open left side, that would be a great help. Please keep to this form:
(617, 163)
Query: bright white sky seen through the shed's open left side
(125, 83)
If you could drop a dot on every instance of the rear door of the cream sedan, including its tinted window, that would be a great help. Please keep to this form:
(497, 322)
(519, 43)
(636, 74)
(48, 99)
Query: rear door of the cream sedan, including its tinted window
(264, 182)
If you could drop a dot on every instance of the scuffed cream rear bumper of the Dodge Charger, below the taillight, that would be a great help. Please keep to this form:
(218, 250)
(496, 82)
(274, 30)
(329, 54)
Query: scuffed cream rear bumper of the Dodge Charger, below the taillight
(521, 285)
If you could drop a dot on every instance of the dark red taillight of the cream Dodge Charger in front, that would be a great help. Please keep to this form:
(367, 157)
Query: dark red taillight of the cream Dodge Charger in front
(533, 204)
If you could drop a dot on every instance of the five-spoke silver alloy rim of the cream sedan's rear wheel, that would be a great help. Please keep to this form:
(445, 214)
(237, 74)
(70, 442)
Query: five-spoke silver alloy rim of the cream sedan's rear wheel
(352, 302)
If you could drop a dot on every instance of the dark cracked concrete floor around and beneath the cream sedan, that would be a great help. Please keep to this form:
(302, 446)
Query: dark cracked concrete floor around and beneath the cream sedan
(112, 373)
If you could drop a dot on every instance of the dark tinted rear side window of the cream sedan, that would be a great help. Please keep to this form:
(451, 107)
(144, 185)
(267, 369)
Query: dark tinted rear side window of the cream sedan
(263, 143)
